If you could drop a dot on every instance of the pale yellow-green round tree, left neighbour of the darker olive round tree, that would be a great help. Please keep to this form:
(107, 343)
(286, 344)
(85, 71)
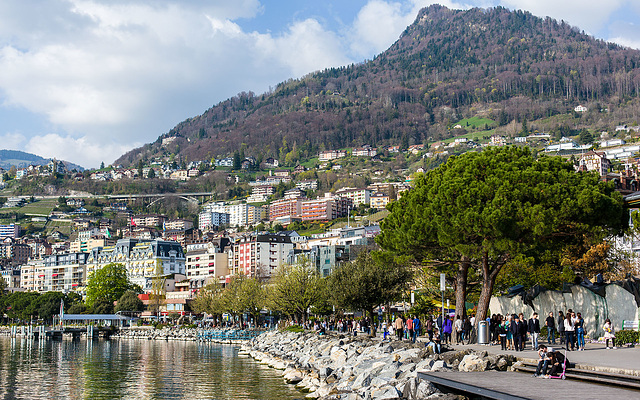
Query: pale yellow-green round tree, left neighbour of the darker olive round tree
(296, 288)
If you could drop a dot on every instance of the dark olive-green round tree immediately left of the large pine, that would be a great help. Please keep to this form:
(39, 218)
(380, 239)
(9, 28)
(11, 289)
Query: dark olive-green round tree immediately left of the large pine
(370, 280)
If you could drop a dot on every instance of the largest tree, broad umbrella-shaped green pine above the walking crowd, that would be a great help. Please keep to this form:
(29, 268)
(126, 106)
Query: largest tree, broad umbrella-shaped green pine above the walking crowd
(483, 210)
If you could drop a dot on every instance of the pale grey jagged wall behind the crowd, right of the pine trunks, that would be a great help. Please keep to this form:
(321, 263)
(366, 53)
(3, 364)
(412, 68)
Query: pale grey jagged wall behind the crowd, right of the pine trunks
(617, 305)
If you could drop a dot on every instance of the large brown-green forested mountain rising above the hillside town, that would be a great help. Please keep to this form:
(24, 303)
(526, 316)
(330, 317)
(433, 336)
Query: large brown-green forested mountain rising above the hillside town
(500, 65)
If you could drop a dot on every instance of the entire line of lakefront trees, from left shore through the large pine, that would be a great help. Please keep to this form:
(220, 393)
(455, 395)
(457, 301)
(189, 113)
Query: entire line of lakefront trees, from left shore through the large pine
(481, 215)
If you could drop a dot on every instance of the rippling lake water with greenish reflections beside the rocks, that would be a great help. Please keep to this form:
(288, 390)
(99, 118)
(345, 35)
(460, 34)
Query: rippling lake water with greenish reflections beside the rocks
(133, 369)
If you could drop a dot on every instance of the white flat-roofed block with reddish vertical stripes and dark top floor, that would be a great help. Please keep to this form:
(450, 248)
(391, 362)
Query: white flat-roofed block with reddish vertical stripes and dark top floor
(259, 256)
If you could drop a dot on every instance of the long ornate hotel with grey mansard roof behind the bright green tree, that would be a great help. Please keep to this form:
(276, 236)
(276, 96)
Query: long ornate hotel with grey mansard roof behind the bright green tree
(143, 259)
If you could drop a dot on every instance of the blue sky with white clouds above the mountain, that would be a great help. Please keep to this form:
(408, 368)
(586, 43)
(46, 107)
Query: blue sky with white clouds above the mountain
(87, 80)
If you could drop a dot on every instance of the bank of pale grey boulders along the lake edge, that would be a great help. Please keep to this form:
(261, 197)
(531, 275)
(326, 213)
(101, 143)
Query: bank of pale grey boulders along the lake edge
(336, 367)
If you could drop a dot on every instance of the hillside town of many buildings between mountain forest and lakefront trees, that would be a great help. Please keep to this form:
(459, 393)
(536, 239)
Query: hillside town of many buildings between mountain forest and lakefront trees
(276, 216)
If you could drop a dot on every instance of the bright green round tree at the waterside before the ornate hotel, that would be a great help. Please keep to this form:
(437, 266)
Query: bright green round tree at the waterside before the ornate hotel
(108, 283)
